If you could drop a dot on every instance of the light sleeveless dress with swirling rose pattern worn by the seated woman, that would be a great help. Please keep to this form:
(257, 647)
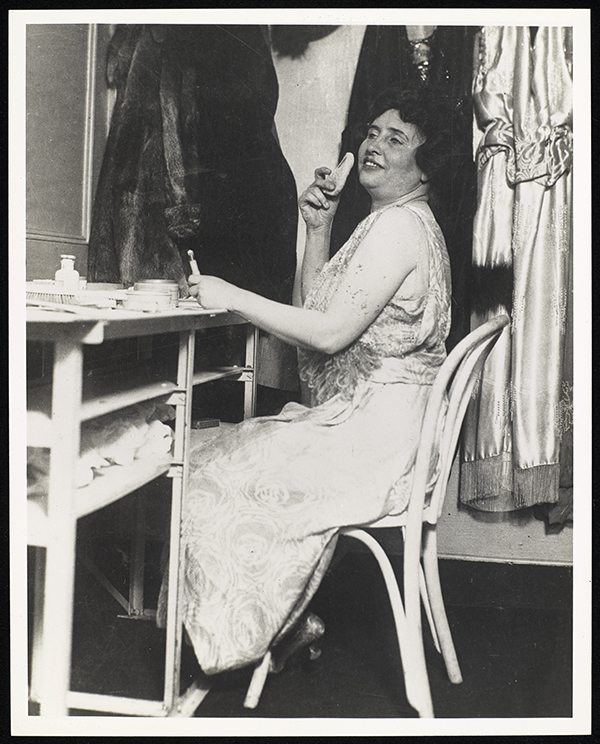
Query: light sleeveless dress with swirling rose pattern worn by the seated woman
(267, 497)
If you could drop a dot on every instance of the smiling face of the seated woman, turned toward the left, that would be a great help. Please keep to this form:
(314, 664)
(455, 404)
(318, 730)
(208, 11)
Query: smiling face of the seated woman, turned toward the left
(387, 166)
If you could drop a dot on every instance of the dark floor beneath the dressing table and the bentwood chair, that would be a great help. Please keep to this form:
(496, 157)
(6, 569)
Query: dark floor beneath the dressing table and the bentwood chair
(511, 626)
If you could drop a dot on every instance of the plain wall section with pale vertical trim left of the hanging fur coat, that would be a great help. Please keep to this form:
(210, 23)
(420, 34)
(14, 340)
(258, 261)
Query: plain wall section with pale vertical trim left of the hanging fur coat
(66, 129)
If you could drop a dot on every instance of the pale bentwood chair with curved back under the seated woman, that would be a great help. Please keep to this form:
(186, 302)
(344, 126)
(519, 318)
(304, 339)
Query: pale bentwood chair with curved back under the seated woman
(450, 395)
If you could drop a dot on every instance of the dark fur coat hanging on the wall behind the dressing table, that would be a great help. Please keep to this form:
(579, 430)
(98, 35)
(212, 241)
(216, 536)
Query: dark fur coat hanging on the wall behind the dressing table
(192, 162)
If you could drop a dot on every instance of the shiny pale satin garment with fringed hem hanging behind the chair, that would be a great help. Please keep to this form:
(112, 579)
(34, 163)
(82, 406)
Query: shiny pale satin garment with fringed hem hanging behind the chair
(522, 249)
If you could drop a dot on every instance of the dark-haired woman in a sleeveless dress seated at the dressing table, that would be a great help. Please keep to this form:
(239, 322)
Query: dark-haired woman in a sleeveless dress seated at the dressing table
(266, 499)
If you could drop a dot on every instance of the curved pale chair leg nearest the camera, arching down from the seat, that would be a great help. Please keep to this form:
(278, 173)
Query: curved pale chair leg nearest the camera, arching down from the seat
(410, 640)
